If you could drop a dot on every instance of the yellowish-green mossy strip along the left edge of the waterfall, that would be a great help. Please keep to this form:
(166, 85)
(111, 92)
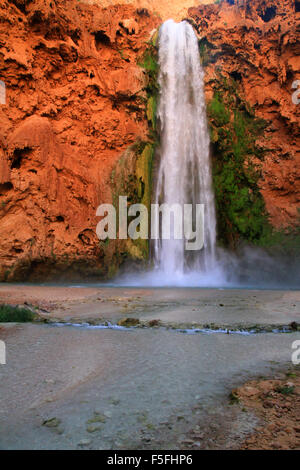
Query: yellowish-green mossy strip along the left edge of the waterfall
(133, 174)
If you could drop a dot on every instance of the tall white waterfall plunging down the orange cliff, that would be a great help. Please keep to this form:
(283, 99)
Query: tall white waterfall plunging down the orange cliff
(184, 171)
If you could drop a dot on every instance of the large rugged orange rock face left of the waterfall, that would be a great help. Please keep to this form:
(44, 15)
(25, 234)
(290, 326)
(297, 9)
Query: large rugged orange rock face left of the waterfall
(75, 102)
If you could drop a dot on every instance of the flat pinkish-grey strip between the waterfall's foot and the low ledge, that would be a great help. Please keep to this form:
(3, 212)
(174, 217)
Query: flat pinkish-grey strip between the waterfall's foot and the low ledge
(187, 307)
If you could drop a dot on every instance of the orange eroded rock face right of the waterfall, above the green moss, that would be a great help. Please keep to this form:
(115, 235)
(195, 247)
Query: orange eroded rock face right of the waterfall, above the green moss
(256, 42)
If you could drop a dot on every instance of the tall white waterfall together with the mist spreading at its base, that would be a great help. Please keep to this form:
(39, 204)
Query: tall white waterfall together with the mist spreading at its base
(184, 176)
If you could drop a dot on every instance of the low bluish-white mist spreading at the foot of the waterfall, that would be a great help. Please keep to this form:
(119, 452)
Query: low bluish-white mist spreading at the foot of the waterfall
(247, 268)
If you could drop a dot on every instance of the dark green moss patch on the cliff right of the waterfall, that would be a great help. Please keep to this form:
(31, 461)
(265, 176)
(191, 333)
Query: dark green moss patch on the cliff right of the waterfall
(234, 131)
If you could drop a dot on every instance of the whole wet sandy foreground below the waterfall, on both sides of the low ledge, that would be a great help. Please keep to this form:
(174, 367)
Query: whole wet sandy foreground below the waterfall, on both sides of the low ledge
(68, 387)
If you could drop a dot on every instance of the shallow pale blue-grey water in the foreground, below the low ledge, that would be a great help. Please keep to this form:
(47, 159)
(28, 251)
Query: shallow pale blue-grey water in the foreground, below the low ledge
(125, 389)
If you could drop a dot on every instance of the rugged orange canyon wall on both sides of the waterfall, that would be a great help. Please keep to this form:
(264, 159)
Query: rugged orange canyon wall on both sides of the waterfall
(77, 106)
